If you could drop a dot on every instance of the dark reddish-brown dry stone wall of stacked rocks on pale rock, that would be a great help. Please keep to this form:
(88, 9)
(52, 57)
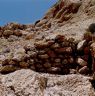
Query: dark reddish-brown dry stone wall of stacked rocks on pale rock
(56, 56)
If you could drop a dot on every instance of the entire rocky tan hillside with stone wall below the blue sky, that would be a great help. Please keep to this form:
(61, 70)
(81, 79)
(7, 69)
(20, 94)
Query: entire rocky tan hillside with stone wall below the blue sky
(53, 57)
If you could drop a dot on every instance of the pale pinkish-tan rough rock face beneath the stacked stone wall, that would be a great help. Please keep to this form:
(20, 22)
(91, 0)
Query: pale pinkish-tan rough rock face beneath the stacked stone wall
(28, 83)
